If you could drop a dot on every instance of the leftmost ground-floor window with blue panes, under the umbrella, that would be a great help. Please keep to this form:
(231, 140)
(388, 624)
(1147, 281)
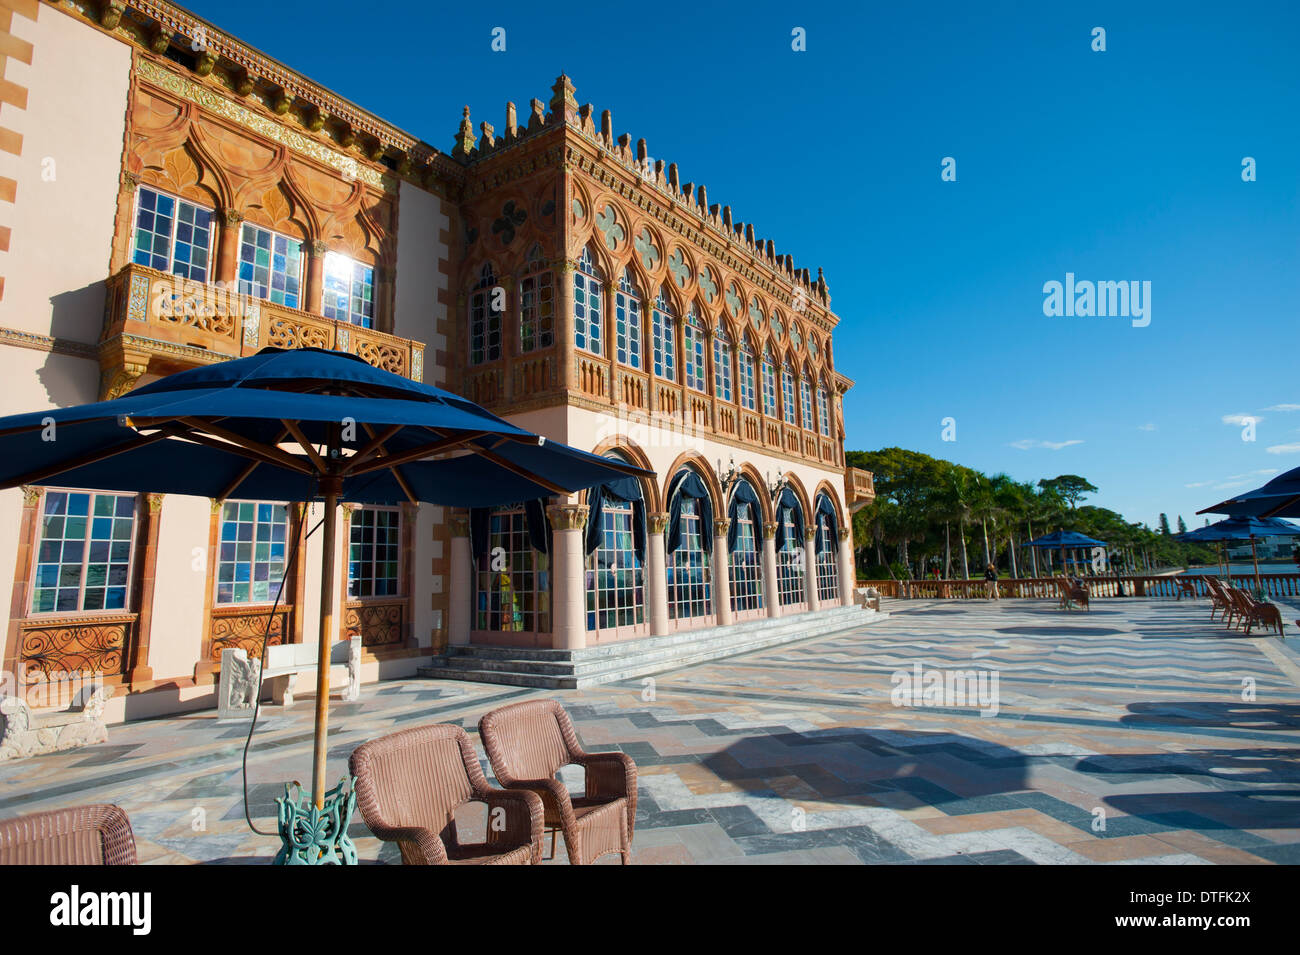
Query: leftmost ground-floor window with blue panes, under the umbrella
(84, 557)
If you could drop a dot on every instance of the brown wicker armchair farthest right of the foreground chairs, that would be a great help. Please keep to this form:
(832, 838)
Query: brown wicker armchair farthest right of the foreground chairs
(527, 744)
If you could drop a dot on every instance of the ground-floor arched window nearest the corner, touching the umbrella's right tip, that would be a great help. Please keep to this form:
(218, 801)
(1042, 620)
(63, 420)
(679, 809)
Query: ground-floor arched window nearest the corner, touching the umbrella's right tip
(616, 576)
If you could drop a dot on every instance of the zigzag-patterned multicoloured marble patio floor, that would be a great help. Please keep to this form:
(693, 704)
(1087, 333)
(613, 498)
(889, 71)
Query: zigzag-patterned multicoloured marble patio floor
(1129, 717)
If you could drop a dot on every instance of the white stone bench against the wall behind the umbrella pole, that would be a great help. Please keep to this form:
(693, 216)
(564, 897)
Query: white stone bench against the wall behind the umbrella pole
(242, 679)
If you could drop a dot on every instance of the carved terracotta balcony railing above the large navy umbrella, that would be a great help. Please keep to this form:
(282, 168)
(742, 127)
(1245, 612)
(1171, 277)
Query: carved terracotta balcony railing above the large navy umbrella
(158, 324)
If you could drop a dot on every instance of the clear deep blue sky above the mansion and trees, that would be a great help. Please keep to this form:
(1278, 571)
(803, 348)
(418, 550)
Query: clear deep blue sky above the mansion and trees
(1117, 166)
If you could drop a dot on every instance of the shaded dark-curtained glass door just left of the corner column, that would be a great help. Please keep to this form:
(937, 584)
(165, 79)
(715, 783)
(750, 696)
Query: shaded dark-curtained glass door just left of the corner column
(513, 579)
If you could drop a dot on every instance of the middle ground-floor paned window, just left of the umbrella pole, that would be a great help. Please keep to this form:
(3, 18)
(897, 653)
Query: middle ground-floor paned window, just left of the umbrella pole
(252, 552)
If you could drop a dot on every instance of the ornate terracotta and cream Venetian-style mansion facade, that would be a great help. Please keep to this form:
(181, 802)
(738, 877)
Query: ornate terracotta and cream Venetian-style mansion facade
(175, 198)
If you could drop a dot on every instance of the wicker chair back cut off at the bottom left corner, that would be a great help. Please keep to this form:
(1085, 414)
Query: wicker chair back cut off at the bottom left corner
(83, 836)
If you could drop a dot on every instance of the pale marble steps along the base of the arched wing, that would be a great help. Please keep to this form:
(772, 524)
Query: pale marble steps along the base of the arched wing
(604, 663)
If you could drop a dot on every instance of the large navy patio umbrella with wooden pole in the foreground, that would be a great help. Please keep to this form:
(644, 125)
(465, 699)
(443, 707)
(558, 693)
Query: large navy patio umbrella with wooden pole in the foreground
(297, 426)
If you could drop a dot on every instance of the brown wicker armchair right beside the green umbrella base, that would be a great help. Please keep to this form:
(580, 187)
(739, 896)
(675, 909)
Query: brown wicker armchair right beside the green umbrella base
(410, 784)
